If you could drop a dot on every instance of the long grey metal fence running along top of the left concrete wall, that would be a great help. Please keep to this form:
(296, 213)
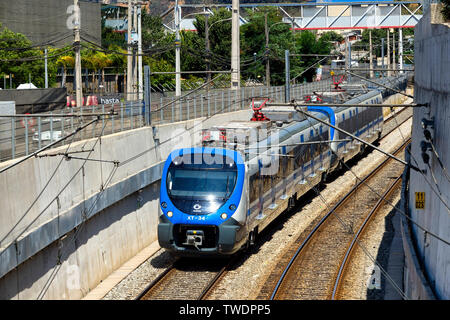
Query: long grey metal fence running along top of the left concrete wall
(22, 136)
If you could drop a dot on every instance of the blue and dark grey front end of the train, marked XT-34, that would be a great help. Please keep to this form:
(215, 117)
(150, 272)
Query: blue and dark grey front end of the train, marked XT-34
(202, 203)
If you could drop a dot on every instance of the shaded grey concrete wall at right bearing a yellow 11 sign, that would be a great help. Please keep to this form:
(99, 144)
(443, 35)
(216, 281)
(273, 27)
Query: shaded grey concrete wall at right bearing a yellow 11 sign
(432, 85)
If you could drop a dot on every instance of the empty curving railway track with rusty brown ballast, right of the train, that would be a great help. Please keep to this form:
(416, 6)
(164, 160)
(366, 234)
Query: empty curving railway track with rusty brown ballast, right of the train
(309, 269)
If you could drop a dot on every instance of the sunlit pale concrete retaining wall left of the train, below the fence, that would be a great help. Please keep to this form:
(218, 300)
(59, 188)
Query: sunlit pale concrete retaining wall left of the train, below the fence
(63, 229)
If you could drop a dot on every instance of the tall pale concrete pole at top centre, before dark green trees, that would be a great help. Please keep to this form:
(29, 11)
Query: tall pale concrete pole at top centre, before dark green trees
(235, 49)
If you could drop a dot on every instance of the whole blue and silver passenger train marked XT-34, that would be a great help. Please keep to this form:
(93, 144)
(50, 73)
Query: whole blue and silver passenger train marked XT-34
(215, 199)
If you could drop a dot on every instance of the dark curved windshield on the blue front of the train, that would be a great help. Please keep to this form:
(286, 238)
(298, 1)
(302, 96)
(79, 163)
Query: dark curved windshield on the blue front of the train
(200, 188)
